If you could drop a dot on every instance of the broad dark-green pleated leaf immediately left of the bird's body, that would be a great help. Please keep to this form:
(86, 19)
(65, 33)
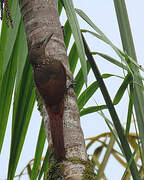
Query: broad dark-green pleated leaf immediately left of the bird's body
(24, 100)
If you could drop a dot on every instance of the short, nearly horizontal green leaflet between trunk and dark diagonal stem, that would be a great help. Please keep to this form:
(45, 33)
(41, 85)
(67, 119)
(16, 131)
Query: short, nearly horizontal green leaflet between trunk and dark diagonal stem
(92, 109)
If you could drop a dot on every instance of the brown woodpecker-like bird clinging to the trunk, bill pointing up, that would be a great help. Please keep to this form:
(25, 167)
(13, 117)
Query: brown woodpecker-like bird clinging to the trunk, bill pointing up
(50, 80)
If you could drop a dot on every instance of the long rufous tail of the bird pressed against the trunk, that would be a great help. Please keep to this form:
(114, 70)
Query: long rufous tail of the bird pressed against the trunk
(56, 126)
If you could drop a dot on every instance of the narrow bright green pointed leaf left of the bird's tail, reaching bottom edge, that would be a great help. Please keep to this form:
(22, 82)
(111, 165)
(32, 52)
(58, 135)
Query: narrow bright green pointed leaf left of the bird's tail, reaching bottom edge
(38, 152)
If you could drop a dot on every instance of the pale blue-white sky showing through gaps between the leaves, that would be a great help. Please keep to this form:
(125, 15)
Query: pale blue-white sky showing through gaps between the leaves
(102, 13)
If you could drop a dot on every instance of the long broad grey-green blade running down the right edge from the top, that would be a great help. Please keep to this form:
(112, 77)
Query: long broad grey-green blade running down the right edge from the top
(128, 46)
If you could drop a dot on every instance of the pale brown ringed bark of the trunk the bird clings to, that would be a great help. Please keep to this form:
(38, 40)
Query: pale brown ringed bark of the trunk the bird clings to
(40, 19)
